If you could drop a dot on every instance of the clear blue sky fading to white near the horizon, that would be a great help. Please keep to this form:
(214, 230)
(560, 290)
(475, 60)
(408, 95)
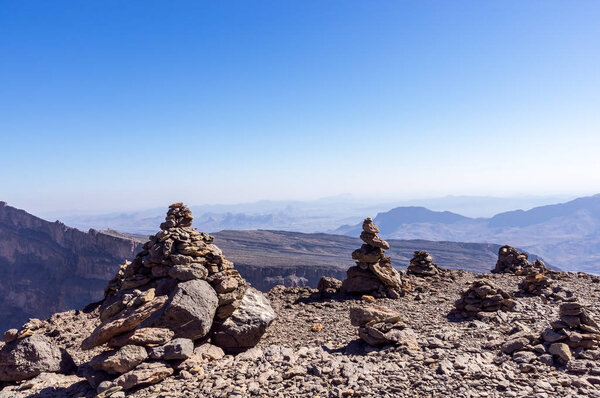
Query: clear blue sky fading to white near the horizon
(131, 104)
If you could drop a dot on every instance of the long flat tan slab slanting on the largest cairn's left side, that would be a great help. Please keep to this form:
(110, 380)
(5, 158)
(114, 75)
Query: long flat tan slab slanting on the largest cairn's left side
(125, 321)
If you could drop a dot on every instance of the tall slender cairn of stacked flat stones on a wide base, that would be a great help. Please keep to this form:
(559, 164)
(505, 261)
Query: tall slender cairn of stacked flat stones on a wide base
(373, 273)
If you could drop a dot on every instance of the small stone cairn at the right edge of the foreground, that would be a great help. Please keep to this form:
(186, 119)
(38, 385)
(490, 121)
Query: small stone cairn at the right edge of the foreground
(573, 333)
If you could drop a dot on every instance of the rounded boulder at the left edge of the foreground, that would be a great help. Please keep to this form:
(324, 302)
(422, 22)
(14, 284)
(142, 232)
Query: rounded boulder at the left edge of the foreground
(28, 357)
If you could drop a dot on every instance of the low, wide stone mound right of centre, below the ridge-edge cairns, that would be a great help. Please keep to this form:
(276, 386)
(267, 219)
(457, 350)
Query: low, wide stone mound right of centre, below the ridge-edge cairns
(483, 296)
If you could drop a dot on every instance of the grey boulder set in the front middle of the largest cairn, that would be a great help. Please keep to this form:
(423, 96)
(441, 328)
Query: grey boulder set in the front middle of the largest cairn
(190, 311)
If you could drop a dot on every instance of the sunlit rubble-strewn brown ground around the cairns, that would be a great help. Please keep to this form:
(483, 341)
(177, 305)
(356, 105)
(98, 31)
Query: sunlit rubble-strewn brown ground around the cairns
(311, 350)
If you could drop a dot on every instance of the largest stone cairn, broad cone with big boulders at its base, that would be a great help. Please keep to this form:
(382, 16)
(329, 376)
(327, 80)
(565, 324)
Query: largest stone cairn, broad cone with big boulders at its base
(177, 300)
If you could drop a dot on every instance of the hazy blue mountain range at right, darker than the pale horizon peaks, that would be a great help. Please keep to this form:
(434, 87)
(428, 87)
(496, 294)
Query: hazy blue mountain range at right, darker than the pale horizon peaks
(566, 235)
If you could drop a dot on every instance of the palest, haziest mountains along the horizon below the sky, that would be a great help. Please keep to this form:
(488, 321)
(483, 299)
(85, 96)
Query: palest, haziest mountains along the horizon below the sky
(323, 215)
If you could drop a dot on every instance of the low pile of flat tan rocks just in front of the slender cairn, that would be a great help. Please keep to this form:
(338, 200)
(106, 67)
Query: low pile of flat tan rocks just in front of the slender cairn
(379, 326)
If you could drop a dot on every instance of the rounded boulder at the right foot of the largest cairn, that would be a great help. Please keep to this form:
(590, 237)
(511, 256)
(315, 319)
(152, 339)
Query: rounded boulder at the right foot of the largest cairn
(244, 328)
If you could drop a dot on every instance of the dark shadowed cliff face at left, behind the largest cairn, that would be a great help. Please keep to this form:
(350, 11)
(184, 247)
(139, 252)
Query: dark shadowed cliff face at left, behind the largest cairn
(48, 267)
